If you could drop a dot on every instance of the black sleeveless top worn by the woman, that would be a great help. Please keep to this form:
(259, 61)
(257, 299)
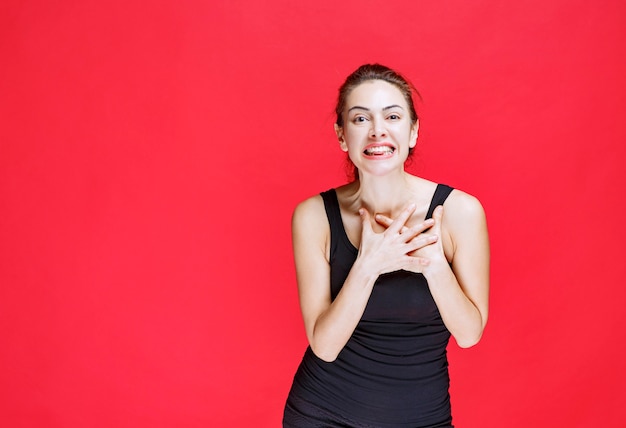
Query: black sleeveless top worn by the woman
(393, 372)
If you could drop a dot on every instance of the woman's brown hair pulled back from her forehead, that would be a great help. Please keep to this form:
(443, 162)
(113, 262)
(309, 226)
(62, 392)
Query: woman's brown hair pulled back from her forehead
(368, 72)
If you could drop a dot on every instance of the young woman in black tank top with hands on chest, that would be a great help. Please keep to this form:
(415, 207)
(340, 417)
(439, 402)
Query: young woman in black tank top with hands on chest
(388, 267)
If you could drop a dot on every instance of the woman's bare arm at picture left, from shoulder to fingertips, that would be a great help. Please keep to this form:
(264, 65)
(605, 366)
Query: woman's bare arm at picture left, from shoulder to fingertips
(329, 325)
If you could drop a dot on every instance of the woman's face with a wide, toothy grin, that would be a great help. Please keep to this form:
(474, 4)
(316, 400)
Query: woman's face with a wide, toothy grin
(377, 131)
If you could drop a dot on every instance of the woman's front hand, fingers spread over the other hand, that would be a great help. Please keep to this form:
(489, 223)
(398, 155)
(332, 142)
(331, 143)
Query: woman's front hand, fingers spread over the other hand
(392, 249)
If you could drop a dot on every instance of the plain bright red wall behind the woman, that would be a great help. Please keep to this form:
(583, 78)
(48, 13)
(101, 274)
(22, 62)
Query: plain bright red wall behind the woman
(151, 154)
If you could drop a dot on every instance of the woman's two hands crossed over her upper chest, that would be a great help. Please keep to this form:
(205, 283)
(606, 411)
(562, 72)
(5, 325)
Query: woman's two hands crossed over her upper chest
(412, 248)
